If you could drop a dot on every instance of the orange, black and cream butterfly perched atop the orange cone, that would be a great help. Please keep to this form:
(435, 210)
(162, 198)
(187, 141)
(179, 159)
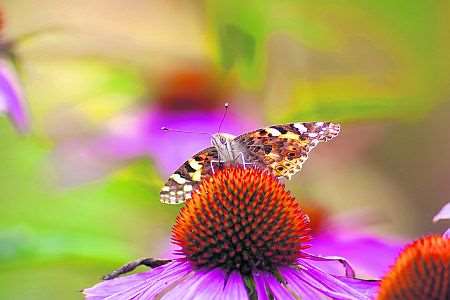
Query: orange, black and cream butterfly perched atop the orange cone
(281, 149)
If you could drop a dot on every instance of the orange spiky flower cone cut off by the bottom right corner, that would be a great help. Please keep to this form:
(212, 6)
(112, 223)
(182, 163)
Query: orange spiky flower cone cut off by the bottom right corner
(422, 271)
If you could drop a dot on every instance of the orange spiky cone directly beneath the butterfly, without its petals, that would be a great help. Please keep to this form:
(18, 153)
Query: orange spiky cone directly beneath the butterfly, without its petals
(241, 219)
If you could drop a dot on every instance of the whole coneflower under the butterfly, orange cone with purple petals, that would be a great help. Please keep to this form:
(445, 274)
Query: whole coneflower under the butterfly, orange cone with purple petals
(241, 236)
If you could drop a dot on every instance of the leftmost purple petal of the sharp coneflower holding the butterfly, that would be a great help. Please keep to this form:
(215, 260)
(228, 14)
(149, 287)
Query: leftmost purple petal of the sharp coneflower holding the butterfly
(150, 283)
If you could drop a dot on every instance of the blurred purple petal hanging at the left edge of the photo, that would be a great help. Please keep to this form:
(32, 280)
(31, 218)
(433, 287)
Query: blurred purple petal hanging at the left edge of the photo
(11, 96)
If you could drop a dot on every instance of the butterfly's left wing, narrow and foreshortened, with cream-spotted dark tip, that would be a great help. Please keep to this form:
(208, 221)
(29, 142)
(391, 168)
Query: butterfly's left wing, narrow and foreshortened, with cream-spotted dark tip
(184, 180)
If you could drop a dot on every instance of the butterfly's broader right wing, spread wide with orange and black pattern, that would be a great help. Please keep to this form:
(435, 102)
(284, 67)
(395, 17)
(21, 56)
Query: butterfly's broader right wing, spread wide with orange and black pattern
(284, 148)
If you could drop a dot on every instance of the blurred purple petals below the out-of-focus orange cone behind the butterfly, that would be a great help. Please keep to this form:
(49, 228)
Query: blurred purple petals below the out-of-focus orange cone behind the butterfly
(140, 135)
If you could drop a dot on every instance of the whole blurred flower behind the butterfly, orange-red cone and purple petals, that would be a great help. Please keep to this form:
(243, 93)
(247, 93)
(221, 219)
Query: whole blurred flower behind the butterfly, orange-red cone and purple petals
(190, 100)
